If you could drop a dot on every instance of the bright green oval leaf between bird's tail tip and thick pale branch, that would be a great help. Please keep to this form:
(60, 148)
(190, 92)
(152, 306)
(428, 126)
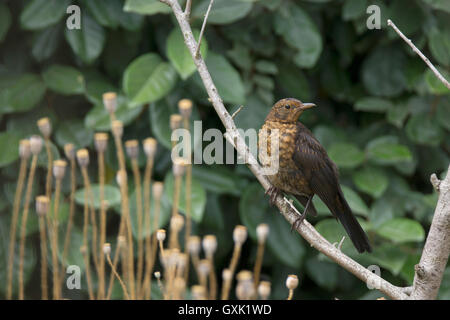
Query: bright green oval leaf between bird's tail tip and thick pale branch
(400, 230)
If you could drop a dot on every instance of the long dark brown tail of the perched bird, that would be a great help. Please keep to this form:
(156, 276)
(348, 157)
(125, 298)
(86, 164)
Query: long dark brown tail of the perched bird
(351, 225)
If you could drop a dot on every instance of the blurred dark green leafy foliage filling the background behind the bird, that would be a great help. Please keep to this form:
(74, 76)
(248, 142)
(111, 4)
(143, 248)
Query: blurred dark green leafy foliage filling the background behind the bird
(383, 116)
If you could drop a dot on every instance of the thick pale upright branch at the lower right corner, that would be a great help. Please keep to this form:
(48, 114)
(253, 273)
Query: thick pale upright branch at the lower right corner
(429, 271)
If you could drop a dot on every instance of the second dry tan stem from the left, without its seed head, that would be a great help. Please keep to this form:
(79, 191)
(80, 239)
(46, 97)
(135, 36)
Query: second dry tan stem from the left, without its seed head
(23, 227)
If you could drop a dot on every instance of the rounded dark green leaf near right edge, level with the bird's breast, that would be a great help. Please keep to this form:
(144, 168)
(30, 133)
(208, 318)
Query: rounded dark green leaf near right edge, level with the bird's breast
(424, 129)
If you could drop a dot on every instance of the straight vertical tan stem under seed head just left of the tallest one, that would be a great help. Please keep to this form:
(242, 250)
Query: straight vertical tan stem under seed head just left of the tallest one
(101, 275)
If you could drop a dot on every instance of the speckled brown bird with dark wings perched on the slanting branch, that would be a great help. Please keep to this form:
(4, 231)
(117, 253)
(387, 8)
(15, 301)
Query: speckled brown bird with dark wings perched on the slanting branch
(304, 168)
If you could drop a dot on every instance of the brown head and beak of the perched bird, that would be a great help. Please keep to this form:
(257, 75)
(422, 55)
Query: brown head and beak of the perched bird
(288, 110)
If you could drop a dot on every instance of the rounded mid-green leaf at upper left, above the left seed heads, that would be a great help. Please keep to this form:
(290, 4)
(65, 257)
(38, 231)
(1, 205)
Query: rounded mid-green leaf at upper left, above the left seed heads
(64, 79)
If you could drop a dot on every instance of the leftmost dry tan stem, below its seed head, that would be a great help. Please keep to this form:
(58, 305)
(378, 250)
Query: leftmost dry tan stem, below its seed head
(13, 228)
